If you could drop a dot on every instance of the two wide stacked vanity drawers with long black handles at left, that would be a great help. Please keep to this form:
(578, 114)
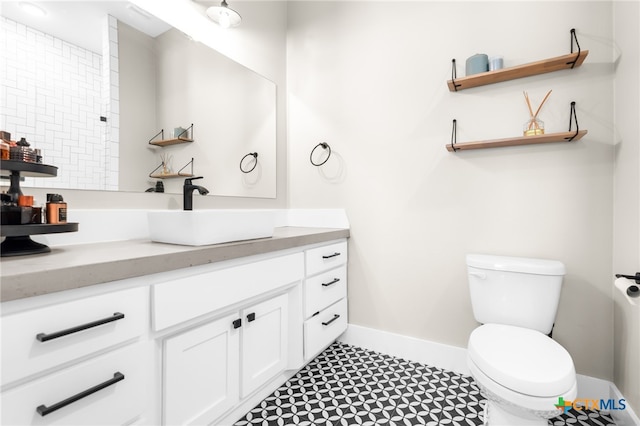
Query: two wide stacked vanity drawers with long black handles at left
(77, 362)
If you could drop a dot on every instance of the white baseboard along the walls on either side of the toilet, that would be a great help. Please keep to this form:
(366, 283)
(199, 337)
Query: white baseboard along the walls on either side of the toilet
(454, 358)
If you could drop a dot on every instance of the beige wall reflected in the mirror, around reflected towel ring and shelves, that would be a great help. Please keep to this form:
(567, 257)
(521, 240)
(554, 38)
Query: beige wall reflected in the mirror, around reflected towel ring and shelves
(232, 109)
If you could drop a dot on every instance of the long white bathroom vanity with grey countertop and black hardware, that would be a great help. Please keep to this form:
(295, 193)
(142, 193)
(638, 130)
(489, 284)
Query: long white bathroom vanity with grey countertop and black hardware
(135, 332)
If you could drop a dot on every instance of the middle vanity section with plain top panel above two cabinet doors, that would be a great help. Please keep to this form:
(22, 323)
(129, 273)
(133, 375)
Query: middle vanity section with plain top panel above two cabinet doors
(226, 355)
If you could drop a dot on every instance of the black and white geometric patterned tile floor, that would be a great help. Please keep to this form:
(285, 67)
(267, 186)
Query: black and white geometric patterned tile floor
(346, 385)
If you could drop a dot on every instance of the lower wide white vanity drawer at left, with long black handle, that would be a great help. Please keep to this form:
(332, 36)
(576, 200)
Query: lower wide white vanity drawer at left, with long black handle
(123, 372)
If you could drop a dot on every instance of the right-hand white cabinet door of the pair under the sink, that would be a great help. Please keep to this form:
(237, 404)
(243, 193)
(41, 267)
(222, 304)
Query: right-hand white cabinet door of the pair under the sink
(264, 342)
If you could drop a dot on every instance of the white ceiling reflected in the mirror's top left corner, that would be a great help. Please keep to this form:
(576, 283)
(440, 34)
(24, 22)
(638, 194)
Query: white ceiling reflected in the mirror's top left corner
(81, 22)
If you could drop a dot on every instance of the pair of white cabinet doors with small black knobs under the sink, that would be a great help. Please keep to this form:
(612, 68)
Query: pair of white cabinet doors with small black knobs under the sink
(208, 369)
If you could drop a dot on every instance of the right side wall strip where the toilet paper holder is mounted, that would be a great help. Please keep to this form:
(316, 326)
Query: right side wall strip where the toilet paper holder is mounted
(626, 224)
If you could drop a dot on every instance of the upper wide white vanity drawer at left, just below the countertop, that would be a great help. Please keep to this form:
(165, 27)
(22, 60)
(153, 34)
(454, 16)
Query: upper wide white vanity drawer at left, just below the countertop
(37, 340)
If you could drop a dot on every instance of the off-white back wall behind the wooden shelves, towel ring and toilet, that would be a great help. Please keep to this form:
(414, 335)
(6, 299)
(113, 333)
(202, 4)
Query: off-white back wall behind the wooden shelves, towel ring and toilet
(373, 85)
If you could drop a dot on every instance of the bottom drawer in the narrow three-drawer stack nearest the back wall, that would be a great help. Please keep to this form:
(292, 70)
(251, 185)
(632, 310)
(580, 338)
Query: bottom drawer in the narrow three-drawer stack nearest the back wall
(324, 328)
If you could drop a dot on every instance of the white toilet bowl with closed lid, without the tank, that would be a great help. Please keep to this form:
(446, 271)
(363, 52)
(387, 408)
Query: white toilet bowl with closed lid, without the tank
(521, 372)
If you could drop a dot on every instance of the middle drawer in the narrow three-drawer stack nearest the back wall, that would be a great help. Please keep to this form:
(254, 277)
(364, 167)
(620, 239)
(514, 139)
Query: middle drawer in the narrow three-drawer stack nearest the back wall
(322, 290)
